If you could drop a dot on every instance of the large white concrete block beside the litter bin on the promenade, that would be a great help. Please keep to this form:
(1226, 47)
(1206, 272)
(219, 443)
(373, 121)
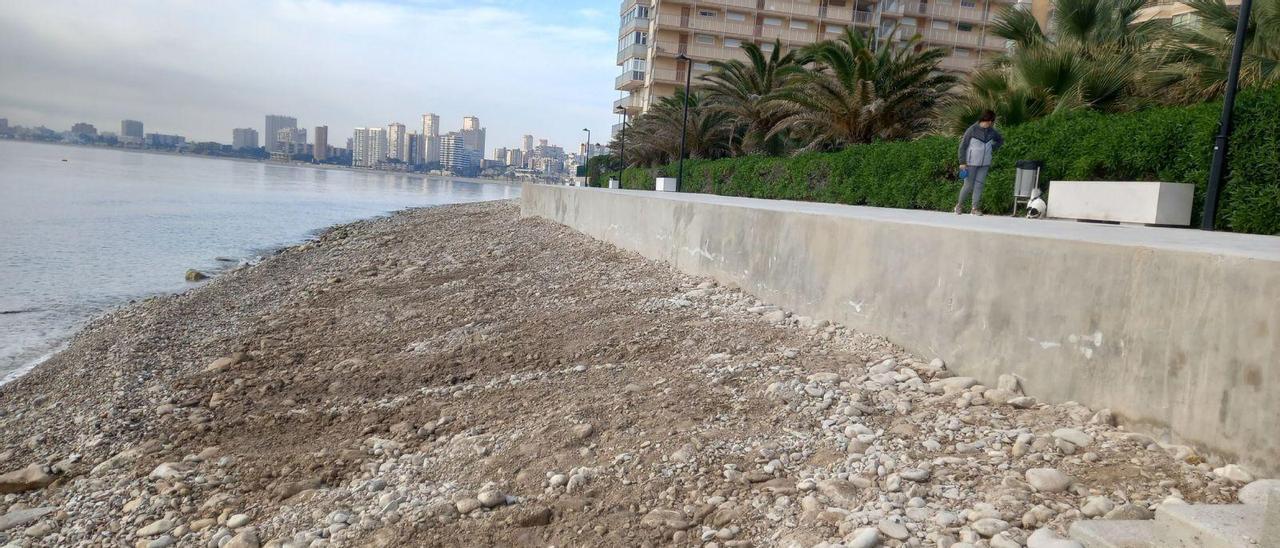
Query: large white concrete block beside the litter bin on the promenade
(1133, 202)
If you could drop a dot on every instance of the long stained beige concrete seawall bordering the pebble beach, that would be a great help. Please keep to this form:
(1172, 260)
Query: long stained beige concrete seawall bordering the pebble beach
(1178, 332)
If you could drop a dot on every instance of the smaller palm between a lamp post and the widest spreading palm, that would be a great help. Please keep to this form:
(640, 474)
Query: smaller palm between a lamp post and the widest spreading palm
(747, 92)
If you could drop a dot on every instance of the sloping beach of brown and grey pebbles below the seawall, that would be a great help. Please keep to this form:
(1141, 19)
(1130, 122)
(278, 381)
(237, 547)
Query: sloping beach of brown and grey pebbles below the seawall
(461, 377)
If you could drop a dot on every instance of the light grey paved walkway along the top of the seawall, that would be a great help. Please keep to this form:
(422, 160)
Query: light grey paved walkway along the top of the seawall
(1252, 246)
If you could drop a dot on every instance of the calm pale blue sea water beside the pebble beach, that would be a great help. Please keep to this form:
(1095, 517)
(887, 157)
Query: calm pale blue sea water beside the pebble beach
(83, 236)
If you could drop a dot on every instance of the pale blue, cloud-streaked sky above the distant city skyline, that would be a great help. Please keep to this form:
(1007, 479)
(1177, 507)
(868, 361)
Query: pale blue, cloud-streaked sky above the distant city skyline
(202, 68)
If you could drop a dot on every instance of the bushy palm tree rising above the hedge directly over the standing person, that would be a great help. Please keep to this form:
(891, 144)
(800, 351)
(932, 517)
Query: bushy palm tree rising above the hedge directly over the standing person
(1094, 61)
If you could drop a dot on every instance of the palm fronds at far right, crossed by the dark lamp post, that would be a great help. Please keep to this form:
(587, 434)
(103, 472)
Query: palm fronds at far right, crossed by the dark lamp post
(1194, 58)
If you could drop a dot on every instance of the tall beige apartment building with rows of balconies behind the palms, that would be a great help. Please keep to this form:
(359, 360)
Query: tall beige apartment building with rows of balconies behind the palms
(655, 33)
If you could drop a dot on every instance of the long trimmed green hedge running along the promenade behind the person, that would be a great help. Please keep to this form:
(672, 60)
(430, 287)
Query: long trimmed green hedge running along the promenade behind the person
(1164, 144)
